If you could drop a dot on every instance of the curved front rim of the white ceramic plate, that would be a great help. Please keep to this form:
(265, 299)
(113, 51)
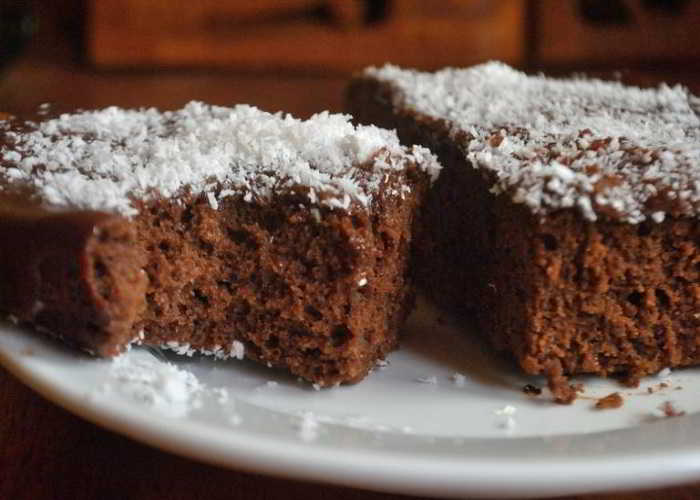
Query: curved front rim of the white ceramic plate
(379, 470)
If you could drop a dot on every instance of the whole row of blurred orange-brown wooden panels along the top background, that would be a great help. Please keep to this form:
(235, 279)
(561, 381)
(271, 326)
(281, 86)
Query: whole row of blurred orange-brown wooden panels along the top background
(345, 35)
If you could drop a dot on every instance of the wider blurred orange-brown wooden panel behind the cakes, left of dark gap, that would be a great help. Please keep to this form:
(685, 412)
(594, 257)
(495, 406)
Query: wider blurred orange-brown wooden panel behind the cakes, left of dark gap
(300, 35)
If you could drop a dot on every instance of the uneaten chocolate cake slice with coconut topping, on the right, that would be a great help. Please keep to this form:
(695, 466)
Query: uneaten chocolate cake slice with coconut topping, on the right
(566, 217)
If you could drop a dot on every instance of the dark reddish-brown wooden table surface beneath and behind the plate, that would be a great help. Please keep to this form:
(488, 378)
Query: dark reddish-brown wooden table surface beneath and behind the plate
(45, 452)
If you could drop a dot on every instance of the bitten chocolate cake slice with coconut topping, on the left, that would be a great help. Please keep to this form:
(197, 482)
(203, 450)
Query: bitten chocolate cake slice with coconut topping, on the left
(227, 231)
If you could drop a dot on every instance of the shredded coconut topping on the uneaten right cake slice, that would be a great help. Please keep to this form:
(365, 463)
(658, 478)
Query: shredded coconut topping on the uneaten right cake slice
(599, 147)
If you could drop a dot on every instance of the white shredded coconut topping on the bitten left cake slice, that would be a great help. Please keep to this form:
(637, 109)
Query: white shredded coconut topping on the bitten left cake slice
(103, 160)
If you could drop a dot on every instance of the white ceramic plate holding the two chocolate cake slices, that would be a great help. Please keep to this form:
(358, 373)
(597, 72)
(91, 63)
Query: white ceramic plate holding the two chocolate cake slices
(410, 427)
